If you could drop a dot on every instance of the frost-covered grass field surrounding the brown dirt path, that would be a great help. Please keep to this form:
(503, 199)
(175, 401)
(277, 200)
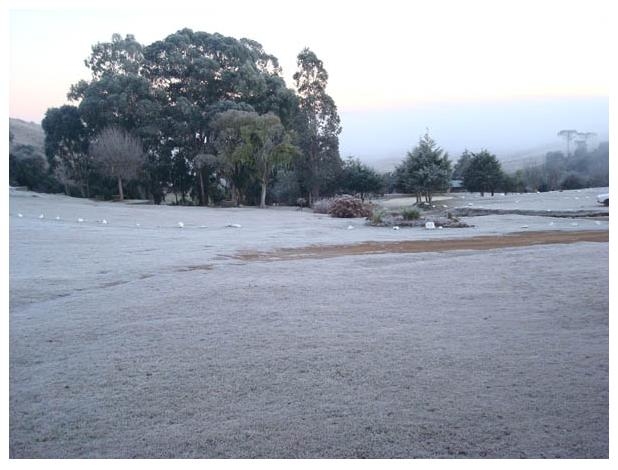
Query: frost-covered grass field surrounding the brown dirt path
(138, 338)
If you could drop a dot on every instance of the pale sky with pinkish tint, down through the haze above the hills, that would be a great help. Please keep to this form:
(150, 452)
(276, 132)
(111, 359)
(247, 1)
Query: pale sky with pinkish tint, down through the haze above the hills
(384, 58)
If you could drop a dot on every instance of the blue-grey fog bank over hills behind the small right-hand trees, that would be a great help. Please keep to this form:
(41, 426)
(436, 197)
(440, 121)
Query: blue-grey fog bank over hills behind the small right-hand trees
(519, 132)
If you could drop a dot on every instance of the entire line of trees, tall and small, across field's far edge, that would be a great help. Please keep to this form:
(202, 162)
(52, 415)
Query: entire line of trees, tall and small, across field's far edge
(208, 118)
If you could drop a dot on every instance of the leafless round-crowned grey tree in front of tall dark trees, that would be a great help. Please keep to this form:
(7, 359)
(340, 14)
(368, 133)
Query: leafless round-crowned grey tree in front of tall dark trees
(118, 154)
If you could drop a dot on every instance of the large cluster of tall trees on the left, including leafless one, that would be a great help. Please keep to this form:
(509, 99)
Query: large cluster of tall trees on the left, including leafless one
(203, 116)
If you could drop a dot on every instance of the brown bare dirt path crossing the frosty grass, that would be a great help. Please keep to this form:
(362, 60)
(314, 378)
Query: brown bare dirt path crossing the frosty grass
(420, 246)
